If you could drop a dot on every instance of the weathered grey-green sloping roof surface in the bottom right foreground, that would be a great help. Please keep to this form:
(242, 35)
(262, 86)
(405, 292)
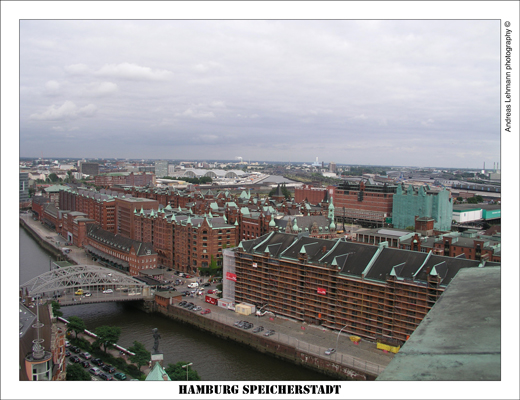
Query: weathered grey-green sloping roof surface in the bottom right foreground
(459, 339)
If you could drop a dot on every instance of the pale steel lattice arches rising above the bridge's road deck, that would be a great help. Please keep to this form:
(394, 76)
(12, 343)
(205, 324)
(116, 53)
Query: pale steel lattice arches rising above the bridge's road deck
(79, 276)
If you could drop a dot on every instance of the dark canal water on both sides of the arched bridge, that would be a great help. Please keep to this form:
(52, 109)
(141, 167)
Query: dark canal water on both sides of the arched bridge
(213, 358)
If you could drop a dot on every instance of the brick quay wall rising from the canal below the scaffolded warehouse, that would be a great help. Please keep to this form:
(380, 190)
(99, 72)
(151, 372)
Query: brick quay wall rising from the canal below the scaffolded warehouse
(257, 342)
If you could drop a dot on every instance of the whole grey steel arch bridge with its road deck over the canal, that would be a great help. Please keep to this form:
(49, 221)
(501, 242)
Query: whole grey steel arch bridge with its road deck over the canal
(65, 282)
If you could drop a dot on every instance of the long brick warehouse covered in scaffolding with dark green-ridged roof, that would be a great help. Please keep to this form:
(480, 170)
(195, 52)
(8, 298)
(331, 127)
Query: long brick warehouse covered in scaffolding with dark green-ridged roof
(375, 292)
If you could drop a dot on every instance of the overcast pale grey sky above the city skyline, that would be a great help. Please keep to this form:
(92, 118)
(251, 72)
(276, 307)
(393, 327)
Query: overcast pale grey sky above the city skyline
(421, 93)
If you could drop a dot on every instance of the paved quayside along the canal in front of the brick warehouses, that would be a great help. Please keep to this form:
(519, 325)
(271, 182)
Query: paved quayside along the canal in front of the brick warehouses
(306, 338)
